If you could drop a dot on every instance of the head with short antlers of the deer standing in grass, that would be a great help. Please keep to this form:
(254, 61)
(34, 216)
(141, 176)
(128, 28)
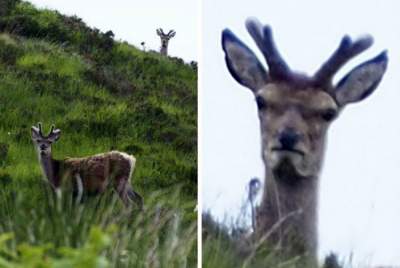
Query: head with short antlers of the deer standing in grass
(43, 143)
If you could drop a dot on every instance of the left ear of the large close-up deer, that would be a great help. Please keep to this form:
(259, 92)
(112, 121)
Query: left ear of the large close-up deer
(242, 63)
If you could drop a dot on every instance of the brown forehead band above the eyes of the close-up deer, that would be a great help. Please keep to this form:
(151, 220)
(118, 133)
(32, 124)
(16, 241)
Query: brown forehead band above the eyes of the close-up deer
(307, 98)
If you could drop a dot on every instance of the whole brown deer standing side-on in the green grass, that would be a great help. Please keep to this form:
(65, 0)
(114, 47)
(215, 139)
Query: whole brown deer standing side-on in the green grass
(92, 174)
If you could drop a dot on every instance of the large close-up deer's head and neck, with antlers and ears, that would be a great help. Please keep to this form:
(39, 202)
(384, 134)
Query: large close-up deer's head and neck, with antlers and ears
(295, 112)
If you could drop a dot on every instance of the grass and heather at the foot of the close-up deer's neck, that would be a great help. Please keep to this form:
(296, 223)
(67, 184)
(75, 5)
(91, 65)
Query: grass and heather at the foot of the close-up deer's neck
(232, 245)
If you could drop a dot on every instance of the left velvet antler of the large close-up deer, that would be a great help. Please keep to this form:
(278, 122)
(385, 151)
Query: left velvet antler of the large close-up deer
(263, 37)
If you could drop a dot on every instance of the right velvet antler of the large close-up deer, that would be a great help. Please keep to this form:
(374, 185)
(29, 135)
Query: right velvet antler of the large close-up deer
(345, 52)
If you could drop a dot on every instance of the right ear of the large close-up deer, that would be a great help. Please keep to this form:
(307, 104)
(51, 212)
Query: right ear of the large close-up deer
(362, 80)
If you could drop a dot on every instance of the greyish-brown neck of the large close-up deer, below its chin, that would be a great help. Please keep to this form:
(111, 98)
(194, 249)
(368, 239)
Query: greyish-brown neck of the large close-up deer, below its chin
(289, 209)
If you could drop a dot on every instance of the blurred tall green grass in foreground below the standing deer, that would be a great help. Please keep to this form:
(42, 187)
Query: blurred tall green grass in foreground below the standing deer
(57, 229)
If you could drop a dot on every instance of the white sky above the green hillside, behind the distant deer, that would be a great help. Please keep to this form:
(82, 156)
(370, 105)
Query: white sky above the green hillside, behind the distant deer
(136, 21)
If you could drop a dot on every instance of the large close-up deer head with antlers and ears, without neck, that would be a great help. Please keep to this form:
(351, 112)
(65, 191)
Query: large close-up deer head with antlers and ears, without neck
(296, 110)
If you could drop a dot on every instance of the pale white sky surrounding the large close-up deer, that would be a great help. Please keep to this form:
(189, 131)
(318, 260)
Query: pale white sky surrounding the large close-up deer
(360, 182)
